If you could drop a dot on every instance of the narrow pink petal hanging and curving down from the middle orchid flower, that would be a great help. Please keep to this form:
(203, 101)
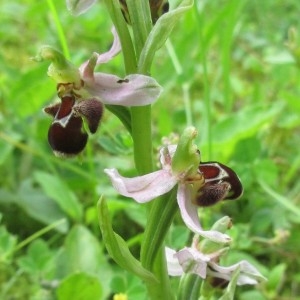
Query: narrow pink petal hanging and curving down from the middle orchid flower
(189, 214)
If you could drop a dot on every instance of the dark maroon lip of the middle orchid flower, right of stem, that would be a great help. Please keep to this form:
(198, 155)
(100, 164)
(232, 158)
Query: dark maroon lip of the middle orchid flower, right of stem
(221, 183)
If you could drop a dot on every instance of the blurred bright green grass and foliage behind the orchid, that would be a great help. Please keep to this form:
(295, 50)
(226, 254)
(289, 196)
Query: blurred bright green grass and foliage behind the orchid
(226, 70)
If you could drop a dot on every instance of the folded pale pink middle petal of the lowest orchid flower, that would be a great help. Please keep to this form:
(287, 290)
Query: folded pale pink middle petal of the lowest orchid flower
(193, 261)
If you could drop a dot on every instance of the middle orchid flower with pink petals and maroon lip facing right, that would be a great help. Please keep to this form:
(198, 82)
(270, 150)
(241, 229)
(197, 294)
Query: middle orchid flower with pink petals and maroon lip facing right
(209, 182)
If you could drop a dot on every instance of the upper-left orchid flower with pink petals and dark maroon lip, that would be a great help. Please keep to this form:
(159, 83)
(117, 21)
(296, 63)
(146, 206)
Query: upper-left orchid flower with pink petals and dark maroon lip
(83, 92)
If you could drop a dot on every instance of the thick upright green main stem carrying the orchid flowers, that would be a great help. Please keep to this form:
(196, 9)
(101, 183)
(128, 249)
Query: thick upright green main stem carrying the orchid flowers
(141, 131)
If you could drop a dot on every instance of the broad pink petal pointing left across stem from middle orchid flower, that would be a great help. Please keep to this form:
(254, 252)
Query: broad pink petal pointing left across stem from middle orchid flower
(142, 188)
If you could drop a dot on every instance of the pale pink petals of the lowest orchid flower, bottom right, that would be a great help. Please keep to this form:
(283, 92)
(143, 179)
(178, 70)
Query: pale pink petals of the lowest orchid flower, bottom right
(192, 260)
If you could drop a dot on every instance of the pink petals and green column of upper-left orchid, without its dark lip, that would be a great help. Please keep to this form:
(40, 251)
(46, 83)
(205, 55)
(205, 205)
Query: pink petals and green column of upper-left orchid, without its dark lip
(84, 82)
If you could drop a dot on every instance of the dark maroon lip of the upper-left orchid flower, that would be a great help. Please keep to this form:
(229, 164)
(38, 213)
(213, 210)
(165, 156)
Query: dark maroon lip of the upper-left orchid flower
(66, 135)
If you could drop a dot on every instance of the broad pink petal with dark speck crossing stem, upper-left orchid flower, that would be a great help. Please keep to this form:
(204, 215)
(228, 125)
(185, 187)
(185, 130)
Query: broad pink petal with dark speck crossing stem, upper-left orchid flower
(133, 90)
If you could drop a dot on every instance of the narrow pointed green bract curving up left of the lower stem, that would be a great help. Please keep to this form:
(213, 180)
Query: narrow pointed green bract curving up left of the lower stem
(117, 247)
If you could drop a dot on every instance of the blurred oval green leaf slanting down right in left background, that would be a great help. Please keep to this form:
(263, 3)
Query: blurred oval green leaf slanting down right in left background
(57, 190)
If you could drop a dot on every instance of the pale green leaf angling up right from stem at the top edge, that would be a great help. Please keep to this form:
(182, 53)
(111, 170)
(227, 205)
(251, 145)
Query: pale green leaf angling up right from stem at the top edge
(159, 34)
